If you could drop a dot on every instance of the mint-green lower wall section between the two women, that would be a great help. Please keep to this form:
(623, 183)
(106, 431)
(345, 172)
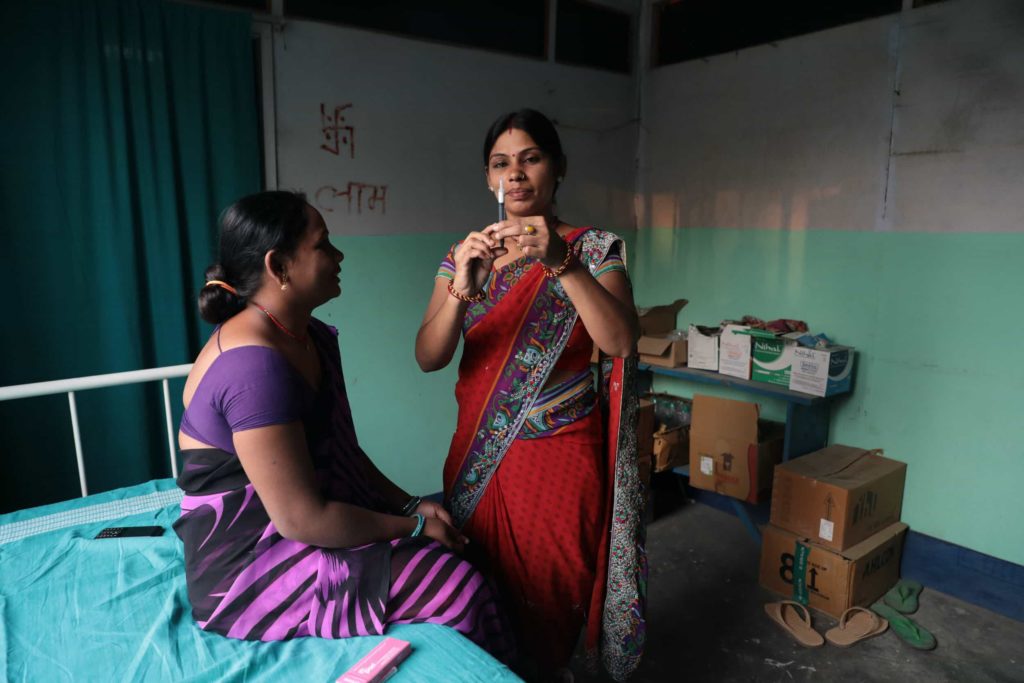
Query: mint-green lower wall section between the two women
(405, 418)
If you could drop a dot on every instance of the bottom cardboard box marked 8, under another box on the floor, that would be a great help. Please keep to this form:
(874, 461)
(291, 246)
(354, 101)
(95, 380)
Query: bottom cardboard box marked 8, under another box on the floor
(832, 582)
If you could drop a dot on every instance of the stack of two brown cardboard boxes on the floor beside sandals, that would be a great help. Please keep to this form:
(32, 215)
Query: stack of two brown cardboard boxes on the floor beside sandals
(835, 539)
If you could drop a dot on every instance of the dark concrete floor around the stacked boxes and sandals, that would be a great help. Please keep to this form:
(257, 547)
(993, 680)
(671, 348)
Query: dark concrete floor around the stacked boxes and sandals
(707, 621)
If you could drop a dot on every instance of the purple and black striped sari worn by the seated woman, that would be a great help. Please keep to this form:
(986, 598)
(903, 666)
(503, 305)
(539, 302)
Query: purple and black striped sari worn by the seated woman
(246, 581)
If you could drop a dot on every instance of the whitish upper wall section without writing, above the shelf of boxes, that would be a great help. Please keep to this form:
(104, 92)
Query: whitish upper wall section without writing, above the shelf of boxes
(910, 122)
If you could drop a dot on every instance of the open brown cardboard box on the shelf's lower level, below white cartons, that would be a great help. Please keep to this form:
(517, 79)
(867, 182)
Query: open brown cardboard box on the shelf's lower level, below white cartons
(732, 452)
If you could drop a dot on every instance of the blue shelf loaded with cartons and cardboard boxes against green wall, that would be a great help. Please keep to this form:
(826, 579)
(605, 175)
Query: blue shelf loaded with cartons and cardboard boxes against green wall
(729, 450)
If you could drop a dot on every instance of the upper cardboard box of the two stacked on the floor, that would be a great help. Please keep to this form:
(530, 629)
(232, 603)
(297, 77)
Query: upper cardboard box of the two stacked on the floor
(838, 496)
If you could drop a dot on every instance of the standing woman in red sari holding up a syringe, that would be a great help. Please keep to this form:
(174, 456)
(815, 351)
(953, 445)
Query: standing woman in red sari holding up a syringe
(542, 474)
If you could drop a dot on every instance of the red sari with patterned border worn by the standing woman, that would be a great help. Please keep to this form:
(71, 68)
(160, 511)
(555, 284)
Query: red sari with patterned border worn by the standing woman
(543, 480)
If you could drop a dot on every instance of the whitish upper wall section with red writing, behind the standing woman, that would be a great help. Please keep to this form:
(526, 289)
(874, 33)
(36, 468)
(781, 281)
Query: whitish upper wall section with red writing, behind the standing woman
(419, 112)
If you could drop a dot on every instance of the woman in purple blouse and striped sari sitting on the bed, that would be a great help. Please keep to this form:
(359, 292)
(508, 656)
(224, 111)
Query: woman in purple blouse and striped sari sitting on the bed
(289, 529)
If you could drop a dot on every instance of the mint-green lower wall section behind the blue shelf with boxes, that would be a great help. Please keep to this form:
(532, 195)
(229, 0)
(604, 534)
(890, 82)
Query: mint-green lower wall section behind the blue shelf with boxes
(936, 320)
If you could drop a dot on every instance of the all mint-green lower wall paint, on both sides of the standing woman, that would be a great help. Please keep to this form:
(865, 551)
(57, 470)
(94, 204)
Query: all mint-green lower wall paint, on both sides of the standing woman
(935, 318)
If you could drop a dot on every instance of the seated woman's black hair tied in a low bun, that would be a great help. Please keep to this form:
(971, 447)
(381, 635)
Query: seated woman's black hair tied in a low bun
(249, 229)
